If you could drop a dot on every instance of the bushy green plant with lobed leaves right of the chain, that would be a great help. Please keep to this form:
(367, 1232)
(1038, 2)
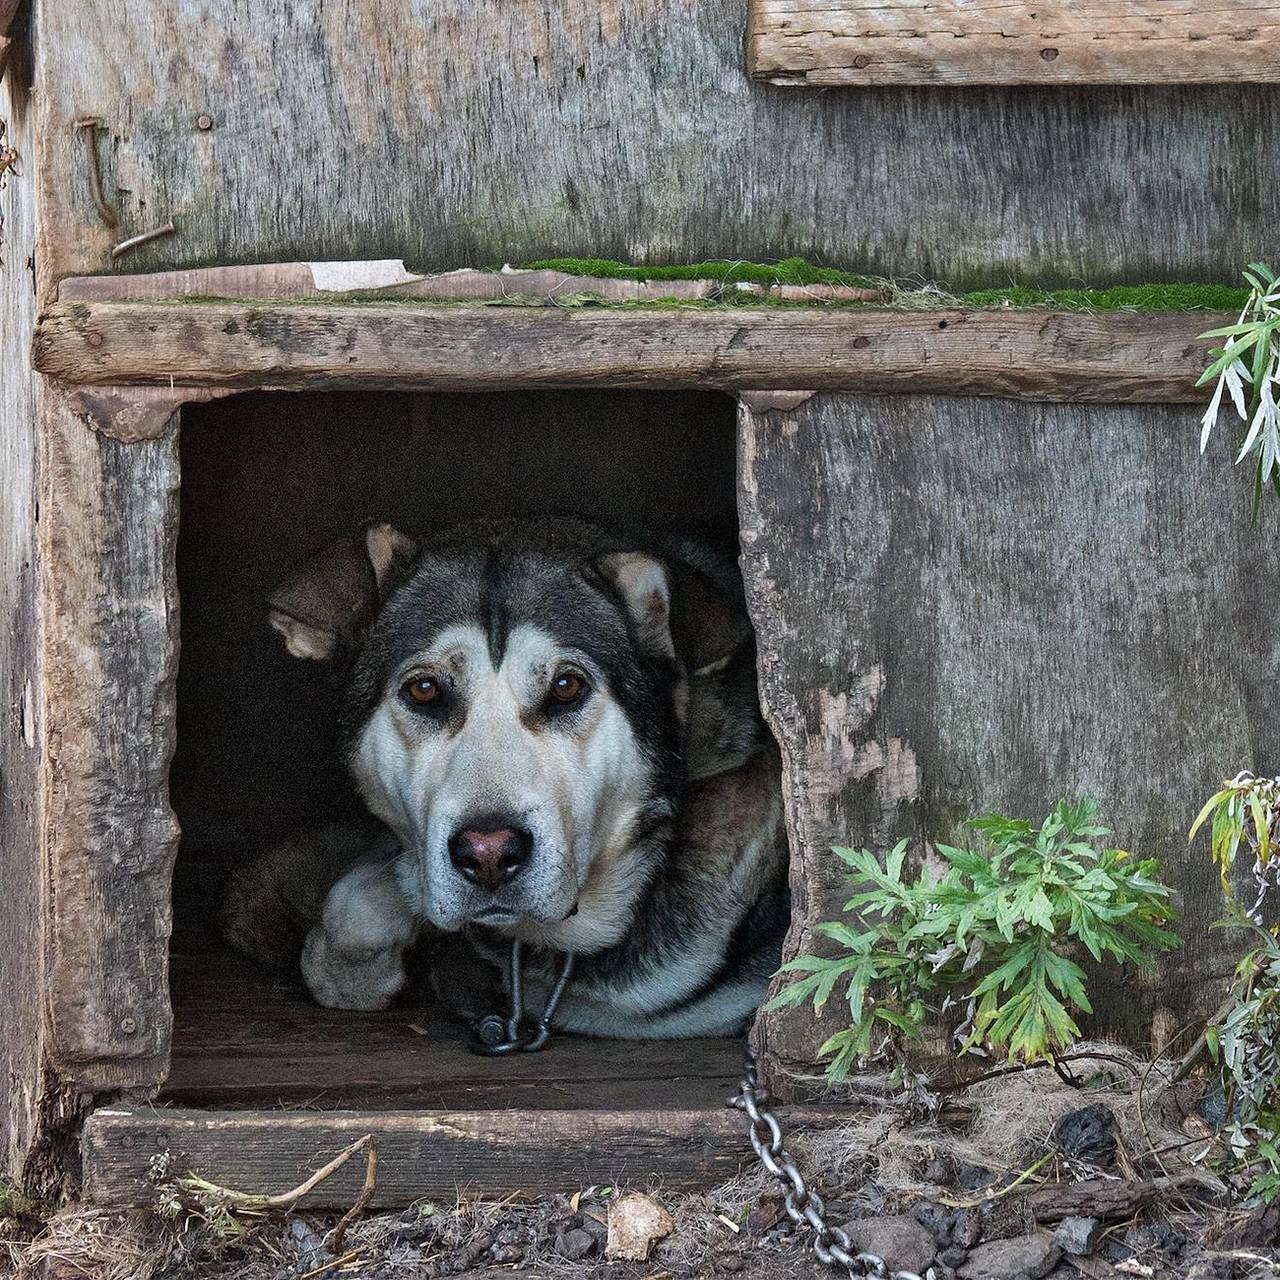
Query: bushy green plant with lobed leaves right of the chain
(998, 932)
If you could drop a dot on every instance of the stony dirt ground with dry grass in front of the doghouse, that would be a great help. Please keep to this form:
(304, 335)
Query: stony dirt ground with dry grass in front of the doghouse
(964, 1195)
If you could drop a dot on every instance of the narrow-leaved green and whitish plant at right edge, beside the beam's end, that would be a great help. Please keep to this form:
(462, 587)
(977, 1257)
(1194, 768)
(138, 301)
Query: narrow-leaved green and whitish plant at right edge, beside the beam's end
(1247, 369)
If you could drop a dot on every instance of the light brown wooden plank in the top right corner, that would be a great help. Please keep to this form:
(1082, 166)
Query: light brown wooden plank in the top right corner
(994, 43)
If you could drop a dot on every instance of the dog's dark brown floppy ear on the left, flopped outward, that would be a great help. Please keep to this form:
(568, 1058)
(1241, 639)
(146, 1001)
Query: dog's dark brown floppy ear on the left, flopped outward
(328, 601)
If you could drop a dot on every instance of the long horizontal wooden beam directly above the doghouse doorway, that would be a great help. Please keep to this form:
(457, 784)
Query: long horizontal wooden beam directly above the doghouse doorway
(1035, 355)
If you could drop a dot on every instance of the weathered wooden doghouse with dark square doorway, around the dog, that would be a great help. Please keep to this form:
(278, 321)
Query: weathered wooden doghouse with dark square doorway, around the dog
(985, 563)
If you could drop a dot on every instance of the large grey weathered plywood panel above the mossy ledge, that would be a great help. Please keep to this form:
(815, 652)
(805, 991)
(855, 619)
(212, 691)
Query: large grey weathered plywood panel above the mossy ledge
(451, 134)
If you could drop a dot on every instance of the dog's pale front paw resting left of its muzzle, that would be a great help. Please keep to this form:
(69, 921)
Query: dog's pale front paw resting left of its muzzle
(355, 957)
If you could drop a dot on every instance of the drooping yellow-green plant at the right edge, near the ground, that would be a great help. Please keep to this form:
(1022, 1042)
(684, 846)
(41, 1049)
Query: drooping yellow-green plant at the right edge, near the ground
(1244, 1039)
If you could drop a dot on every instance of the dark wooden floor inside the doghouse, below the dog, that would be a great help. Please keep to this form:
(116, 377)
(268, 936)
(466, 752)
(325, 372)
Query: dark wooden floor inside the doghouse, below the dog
(246, 1039)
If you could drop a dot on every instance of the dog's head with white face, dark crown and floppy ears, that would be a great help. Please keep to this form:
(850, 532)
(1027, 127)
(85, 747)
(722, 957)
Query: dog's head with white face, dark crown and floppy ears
(516, 712)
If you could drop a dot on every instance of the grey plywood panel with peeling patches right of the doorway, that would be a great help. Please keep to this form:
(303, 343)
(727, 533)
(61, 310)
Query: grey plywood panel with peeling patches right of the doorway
(968, 605)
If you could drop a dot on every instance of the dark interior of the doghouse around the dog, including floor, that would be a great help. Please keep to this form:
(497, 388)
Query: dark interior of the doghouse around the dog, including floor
(266, 479)
